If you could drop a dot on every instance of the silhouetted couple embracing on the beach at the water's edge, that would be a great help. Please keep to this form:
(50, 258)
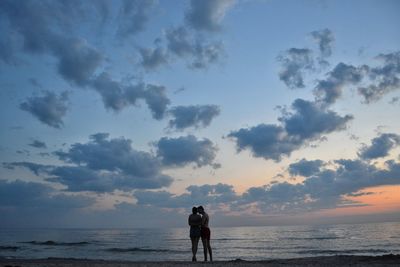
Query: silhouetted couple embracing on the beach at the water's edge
(198, 222)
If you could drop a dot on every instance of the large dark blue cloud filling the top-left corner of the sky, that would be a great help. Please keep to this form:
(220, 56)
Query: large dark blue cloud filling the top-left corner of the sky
(40, 24)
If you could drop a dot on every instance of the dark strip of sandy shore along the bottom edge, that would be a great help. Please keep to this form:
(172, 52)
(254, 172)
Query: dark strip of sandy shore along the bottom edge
(386, 260)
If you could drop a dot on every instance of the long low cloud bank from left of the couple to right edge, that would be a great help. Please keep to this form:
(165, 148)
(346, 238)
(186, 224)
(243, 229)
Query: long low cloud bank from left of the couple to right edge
(323, 189)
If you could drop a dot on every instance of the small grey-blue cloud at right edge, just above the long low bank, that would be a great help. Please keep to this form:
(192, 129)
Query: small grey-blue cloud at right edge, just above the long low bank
(380, 146)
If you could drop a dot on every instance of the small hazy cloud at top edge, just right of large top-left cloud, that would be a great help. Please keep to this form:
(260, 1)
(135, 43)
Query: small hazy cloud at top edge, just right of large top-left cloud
(133, 16)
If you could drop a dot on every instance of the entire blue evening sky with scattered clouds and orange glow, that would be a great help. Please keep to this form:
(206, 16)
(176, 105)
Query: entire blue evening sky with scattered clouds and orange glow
(128, 113)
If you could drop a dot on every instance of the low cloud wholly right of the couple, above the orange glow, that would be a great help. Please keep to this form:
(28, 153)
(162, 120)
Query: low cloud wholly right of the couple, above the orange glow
(326, 188)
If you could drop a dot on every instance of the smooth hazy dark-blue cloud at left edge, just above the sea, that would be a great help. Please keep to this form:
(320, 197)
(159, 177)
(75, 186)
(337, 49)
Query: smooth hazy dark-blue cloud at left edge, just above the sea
(32, 204)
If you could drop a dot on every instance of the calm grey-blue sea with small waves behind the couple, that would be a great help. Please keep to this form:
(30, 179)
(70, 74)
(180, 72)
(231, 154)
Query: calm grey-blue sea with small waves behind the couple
(247, 243)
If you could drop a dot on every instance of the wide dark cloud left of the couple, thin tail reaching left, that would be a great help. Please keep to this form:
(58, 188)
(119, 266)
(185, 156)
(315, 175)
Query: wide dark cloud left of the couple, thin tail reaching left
(102, 165)
